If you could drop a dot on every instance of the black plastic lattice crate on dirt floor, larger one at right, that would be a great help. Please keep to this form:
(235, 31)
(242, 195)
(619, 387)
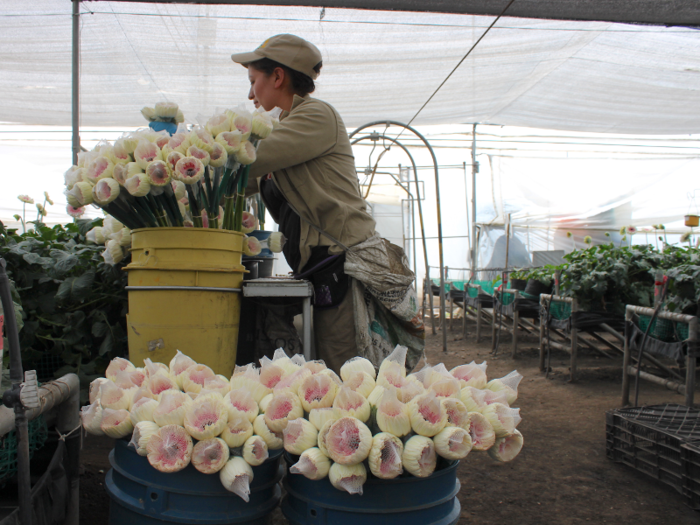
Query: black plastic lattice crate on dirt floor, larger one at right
(649, 439)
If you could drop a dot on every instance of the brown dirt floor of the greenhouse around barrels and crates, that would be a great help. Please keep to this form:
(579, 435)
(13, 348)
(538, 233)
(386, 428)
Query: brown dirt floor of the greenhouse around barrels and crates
(562, 475)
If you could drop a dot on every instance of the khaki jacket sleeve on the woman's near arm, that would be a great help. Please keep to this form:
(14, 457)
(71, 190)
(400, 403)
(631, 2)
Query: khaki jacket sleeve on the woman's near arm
(306, 133)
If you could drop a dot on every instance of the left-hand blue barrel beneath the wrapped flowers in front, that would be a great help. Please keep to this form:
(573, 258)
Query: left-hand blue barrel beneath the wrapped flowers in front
(142, 495)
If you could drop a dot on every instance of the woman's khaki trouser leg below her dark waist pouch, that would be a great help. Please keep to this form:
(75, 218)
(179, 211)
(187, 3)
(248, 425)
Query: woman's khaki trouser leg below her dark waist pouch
(334, 332)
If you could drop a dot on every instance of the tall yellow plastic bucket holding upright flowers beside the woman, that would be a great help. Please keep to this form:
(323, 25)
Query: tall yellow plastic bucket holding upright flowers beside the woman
(184, 294)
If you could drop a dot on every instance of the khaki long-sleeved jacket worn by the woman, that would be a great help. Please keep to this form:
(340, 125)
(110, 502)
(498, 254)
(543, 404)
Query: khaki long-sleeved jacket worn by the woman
(311, 161)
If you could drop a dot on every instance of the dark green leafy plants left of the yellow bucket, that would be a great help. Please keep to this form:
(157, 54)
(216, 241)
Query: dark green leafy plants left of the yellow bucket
(73, 304)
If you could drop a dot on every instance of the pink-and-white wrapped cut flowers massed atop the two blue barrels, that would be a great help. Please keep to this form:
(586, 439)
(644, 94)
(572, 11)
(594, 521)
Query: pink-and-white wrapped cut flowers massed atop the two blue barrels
(365, 423)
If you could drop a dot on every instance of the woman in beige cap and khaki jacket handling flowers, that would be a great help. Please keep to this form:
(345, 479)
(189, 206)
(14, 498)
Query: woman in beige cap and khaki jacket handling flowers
(305, 172)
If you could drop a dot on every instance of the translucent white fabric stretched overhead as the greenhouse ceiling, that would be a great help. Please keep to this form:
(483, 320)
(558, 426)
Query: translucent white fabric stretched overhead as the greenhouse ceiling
(582, 76)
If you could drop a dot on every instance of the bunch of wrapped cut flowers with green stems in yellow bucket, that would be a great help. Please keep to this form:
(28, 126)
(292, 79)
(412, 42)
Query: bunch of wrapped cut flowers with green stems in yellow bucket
(194, 177)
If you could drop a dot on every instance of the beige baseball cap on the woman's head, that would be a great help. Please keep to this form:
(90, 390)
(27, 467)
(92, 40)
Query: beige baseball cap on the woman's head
(289, 50)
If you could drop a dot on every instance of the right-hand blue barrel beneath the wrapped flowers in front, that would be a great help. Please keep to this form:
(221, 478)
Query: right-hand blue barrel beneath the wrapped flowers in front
(400, 501)
